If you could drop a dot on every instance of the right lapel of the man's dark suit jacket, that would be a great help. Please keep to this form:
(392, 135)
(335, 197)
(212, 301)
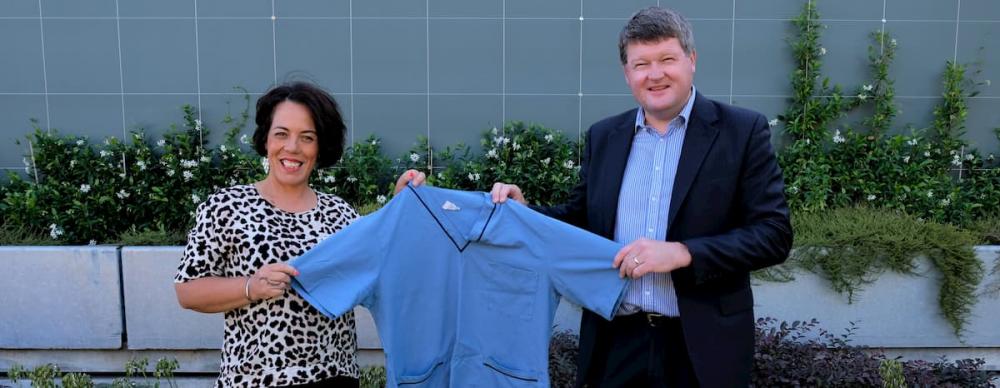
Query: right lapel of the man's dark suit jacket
(701, 134)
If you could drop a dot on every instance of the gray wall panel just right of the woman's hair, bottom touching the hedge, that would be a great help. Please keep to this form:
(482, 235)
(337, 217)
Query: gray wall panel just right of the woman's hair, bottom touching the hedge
(396, 119)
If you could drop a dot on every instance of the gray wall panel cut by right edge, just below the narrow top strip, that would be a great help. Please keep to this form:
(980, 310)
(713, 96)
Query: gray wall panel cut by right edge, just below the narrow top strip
(979, 49)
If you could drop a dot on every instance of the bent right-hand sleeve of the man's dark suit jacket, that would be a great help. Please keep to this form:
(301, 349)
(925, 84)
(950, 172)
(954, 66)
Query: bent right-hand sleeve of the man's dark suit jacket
(765, 235)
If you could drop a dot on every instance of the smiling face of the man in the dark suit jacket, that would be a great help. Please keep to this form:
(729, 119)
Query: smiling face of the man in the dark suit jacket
(659, 74)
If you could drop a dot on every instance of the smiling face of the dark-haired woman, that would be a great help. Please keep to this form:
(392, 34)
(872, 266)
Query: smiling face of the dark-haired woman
(292, 144)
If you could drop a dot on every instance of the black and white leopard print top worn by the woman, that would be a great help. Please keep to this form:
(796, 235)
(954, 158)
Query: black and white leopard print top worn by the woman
(283, 340)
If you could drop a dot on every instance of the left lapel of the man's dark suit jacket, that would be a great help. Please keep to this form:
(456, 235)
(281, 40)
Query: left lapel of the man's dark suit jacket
(619, 145)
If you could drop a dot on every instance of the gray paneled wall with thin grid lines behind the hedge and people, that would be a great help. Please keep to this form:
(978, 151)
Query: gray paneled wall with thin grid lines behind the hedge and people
(447, 69)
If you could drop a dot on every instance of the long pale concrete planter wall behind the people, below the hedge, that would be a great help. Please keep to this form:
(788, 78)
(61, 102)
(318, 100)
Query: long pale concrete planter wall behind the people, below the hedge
(78, 298)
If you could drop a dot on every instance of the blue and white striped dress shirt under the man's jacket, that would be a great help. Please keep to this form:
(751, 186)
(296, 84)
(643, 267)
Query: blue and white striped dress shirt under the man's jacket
(644, 203)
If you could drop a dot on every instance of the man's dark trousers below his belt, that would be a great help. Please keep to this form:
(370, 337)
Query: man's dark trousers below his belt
(647, 351)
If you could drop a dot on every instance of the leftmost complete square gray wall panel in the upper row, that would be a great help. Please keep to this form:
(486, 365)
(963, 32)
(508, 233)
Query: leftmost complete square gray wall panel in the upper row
(82, 56)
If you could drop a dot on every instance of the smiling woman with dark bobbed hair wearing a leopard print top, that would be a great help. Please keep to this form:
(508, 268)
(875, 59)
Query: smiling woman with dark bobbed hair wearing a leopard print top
(235, 257)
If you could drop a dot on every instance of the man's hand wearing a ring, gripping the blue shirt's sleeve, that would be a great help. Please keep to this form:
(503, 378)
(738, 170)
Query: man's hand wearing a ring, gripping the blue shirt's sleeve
(644, 256)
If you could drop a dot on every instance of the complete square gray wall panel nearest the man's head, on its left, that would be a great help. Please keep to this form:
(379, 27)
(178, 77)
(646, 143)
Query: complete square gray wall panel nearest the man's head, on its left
(543, 56)
